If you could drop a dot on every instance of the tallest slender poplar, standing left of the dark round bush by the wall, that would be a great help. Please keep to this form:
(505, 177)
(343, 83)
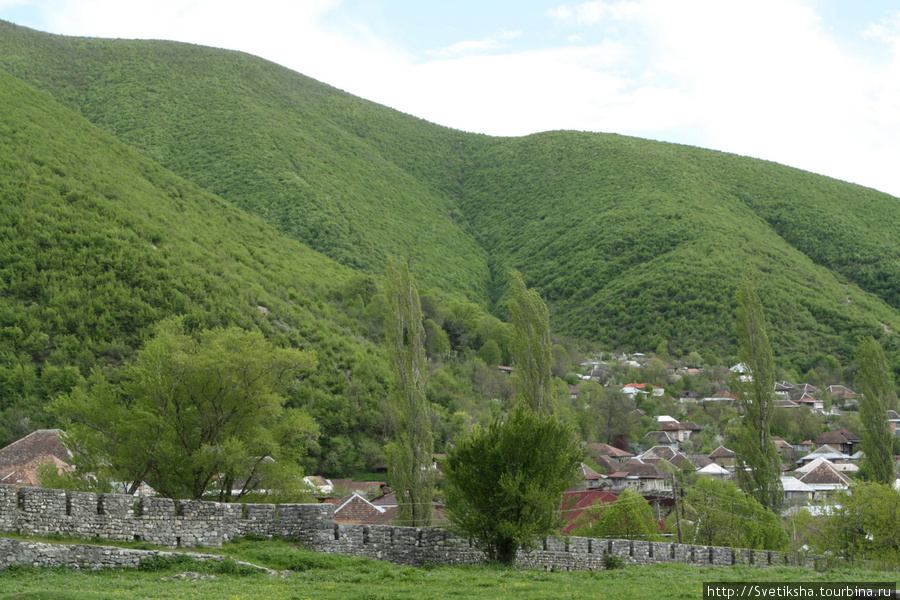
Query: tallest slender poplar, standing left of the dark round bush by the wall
(410, 452)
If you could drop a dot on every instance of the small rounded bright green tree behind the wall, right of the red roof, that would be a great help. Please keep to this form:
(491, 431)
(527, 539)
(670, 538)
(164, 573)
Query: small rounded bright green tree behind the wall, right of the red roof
(629, 517)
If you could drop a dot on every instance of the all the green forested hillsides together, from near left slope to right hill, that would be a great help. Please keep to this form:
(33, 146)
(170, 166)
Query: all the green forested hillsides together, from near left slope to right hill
(143, 180)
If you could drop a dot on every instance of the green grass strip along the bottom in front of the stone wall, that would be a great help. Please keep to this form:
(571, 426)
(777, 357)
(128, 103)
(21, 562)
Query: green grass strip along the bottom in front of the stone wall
(311, 575)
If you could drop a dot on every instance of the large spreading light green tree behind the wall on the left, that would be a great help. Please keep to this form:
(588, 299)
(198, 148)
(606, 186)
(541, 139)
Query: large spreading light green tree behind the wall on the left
(193, 414)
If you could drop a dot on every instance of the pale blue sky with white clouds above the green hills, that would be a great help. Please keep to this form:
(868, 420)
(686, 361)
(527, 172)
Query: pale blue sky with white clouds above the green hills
(813, 84)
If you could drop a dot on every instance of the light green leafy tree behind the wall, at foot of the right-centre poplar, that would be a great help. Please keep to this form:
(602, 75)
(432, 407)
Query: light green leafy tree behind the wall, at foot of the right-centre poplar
(722, 515)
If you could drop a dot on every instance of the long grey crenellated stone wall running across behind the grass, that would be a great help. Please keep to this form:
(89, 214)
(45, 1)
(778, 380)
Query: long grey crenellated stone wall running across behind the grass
(190, 523)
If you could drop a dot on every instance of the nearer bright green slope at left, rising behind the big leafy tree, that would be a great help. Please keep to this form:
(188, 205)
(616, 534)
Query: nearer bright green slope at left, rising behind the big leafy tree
(98, 243)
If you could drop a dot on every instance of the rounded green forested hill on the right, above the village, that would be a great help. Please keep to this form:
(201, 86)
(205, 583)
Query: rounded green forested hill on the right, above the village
(636, 242)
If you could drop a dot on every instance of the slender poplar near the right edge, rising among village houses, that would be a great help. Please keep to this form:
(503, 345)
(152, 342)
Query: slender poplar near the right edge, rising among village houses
(876, 384)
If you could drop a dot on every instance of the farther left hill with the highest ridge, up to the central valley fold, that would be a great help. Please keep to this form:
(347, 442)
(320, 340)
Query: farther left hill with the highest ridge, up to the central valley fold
(324, 167)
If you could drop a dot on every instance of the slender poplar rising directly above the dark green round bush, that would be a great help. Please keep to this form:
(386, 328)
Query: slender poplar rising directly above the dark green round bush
(531, 346)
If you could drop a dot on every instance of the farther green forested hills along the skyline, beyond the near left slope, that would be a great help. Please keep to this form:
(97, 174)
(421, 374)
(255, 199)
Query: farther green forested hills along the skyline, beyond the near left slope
(633, 243)
